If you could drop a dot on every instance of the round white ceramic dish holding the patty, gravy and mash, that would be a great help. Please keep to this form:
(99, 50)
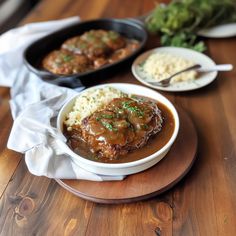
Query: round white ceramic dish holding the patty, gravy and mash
(121, 168)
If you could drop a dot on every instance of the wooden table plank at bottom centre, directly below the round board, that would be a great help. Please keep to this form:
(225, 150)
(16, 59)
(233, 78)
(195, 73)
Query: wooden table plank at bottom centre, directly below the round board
(142, 218)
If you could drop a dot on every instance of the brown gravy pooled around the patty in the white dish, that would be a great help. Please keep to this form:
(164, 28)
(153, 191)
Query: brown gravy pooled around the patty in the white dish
(154, 144)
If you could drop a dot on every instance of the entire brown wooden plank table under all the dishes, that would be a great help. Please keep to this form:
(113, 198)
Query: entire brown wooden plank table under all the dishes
(203, 203)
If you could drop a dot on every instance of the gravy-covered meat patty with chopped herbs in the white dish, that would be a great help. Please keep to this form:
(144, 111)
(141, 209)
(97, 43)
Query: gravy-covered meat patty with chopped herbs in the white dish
(124, 125)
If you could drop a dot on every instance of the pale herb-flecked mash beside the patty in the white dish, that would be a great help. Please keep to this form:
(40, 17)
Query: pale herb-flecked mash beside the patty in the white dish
(89, 102)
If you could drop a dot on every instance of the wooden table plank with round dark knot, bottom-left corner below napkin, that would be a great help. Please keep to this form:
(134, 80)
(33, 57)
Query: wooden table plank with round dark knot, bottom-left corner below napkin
(38, 206)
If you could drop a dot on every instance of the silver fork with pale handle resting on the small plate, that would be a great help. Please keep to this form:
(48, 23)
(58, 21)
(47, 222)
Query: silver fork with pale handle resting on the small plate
(166, 82)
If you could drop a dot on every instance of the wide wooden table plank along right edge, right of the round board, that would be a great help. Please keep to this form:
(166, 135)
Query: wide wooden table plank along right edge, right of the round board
(204, 204)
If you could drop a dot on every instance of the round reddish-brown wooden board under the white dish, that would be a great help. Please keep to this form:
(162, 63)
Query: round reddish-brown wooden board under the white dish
(151, 182)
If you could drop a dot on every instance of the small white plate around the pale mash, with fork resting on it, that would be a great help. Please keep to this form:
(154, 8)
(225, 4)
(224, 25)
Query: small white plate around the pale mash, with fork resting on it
(196, 57)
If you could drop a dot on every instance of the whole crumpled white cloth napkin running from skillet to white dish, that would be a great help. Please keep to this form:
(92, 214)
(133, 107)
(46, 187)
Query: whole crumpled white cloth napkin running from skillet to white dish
(35, 105)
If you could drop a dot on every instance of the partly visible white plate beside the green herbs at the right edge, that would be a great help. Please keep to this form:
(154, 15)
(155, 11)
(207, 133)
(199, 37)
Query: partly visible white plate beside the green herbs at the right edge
(220, 31)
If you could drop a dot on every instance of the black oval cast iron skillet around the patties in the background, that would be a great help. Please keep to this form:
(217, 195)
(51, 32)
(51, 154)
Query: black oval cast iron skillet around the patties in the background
(35, 52)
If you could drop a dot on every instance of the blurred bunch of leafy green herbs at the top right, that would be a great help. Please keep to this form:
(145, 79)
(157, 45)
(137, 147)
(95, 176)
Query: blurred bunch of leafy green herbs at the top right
(179, 21)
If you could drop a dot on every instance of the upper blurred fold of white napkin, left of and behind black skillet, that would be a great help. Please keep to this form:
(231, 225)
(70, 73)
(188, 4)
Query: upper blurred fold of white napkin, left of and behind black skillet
(14, 42)
